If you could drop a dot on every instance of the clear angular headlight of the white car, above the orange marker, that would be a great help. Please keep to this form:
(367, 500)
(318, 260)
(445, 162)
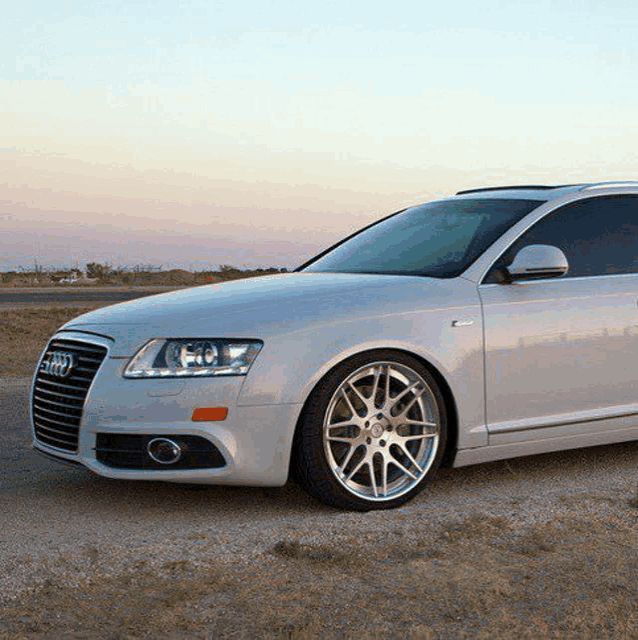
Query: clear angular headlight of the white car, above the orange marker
(186, 357)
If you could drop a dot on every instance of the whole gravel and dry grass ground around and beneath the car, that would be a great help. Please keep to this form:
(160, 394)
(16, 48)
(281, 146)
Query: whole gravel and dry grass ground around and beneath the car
(532, 548)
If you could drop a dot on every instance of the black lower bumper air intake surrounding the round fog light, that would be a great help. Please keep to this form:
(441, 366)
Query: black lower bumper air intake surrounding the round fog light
(129, 451)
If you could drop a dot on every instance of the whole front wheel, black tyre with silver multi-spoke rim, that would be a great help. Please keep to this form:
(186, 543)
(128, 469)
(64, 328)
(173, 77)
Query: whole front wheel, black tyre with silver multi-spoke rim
(373, 430)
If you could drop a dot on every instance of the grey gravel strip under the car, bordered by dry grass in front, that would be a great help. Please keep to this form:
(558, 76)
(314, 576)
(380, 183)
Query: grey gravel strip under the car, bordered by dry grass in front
(68, 524)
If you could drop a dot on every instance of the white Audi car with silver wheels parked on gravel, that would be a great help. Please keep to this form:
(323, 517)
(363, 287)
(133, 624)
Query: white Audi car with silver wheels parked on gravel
(499, 322)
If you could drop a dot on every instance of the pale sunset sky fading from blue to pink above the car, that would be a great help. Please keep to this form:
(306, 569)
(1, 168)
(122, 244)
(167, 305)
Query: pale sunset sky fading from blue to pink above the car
(252, 133)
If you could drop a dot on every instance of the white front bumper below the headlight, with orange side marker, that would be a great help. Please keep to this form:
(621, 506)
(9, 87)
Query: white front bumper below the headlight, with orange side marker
(254, 442)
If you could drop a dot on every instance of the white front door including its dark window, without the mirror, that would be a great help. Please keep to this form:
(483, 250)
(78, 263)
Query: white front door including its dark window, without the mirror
(561, 354)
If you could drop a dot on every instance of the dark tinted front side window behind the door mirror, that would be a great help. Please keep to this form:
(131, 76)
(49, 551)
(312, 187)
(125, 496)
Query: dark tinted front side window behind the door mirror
(599, 236)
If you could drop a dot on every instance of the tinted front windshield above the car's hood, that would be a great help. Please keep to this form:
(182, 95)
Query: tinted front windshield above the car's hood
(439, 239)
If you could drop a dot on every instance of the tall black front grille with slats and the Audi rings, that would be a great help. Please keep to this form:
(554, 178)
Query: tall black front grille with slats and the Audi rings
(58, 399)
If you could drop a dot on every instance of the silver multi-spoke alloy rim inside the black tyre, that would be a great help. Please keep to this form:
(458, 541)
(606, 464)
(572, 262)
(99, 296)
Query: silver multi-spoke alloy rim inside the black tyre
(381, 431)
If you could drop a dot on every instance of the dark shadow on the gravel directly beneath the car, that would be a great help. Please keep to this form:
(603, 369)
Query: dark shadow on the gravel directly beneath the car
(42, 479)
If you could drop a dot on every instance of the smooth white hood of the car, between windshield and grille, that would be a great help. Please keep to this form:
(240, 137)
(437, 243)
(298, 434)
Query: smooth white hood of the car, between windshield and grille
(262, 307)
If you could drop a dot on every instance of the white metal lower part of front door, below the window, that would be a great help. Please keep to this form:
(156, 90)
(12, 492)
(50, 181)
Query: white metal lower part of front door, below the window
(558, 351)
